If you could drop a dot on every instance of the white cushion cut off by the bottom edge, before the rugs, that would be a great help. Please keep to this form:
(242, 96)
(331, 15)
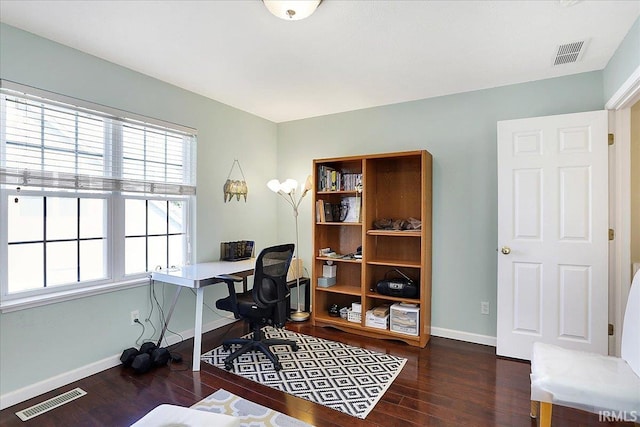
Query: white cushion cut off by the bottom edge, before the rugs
(179, 416)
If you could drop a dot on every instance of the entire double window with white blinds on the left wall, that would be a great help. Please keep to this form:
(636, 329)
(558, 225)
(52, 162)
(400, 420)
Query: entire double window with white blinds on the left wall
(90, 197)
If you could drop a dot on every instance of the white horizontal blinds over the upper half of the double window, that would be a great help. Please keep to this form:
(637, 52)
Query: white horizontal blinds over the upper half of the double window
(51, 144)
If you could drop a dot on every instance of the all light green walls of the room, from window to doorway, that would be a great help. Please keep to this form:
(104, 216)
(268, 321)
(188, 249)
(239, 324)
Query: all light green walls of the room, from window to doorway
(459, 130)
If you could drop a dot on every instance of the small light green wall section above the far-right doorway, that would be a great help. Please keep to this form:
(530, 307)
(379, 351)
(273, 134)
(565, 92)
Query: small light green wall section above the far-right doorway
(624, 61)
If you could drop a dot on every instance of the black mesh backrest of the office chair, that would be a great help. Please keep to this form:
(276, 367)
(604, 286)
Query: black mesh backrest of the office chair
(270, 275)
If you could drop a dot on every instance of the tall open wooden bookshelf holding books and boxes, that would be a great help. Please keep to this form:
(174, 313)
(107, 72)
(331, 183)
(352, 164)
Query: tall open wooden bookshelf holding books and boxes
(393, 186)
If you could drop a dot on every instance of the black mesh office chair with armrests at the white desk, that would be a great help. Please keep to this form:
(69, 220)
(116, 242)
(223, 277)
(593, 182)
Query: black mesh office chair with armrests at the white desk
(260, 305)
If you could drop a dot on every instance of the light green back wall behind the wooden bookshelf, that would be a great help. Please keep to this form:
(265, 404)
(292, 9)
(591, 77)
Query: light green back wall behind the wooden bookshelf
(460, 132)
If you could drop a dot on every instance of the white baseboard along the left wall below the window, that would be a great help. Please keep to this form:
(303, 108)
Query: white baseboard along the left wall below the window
(34, 390)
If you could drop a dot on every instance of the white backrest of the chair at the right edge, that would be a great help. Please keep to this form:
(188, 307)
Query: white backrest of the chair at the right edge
(630, 351)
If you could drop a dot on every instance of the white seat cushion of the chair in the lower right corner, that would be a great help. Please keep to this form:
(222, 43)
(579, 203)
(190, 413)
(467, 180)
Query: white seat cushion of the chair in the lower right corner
(583, 380)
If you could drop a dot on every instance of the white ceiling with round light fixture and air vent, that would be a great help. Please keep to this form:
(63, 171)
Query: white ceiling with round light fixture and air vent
(348, 55)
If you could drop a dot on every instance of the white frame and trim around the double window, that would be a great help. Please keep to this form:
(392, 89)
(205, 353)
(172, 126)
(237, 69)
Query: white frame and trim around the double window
(115, 220)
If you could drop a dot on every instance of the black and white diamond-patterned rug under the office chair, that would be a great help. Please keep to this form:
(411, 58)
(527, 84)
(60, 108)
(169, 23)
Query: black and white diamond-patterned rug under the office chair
(345, 378)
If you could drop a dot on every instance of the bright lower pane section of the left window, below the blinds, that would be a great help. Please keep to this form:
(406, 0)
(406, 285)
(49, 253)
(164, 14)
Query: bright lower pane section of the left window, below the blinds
(55, 241)
